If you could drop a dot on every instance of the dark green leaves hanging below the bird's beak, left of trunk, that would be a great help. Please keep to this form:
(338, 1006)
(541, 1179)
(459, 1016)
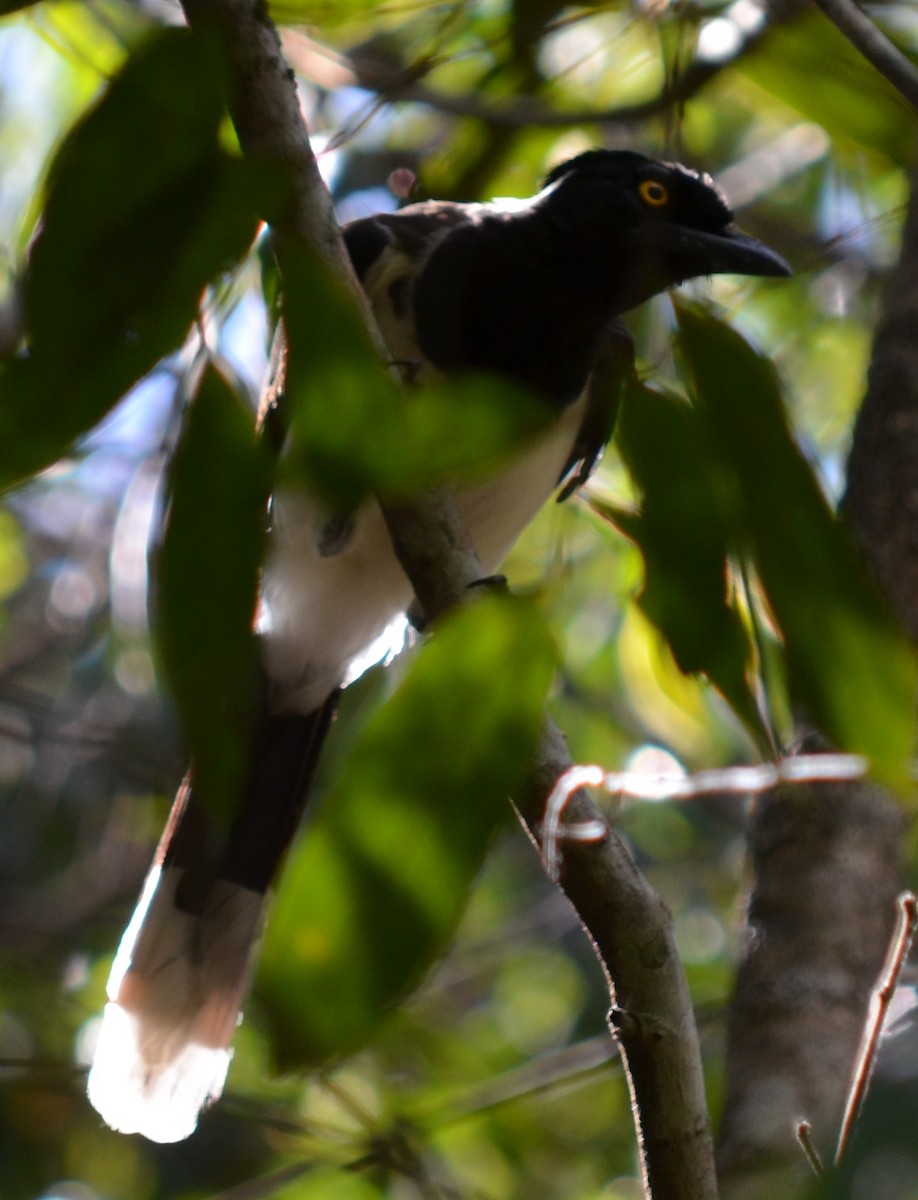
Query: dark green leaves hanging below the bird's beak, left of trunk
(723, 482)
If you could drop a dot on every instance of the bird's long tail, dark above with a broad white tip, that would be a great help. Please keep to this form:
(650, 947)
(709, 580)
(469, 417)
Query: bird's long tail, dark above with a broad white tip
(183, 969)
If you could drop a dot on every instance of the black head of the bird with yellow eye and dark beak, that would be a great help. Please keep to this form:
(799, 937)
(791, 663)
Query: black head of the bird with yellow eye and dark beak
(661, 224)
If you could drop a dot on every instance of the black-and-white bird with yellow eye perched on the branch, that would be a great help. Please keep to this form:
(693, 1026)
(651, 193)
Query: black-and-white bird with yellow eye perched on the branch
(527, 290)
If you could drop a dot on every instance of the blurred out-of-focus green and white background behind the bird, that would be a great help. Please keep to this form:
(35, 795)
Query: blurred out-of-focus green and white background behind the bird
(497, 1079)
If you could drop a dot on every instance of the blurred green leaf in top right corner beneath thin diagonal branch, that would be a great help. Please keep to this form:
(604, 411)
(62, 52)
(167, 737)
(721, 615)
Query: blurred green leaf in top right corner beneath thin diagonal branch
(814, 69)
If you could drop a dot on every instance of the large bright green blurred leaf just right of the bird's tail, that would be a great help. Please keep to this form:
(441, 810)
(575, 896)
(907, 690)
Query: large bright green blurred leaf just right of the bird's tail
(376, 890)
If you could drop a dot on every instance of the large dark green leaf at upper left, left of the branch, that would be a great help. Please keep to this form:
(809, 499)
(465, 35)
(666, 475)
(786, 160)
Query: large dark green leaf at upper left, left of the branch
(143, 211)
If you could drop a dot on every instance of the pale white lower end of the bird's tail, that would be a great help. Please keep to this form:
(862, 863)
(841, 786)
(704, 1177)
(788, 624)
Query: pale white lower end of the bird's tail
(176, 994)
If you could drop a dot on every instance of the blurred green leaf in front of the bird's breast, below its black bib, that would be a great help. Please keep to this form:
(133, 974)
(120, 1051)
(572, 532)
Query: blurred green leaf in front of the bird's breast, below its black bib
(356, 430)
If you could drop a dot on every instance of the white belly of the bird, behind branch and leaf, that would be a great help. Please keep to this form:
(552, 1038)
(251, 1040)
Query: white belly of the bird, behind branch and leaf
(323, 611)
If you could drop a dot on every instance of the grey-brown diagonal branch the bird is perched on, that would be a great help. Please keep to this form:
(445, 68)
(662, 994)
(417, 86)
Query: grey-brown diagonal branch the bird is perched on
(627, 921)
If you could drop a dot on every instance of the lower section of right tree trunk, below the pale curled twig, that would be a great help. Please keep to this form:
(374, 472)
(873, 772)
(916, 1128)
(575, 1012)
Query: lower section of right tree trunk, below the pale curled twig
(826, 879)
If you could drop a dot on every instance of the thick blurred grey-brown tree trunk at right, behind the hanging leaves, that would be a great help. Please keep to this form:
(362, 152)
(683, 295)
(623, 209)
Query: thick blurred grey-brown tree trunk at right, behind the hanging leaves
(829, 861)
